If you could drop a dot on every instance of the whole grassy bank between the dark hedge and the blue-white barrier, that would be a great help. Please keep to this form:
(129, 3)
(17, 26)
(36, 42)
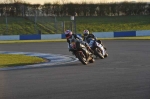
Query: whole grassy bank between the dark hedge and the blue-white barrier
(19, 25)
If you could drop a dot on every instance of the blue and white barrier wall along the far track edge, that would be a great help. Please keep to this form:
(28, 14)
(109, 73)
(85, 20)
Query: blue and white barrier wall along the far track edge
(62, 36)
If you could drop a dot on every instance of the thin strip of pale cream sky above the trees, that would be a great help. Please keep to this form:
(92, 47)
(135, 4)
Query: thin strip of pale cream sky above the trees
(74, 1)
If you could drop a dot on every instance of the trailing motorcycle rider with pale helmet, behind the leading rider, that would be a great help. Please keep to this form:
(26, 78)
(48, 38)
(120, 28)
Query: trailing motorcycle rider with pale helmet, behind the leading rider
(86, 38)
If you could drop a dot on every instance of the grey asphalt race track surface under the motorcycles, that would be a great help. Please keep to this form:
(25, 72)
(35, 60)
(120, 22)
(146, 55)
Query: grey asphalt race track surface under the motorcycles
(125, 74)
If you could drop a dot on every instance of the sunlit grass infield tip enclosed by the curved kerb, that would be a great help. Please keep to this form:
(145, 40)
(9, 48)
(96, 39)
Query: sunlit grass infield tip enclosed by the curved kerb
(10, 60)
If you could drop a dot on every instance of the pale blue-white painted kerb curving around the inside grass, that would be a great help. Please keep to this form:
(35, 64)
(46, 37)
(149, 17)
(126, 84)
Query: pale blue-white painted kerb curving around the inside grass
(53, 59)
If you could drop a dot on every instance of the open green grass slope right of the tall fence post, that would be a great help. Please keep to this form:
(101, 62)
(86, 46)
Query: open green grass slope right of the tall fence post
(115, 23)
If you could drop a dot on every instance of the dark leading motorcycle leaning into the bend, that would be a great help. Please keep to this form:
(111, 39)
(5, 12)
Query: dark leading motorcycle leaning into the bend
(81, 52)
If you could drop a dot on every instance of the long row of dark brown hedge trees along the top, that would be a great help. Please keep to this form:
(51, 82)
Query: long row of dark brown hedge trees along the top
(70, 9)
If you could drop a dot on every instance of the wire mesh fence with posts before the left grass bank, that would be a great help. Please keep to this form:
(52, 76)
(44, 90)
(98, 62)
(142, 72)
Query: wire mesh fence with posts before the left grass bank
(33, 25)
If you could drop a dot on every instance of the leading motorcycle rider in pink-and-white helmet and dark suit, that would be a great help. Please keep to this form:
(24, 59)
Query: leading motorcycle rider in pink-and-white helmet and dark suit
(70, 36)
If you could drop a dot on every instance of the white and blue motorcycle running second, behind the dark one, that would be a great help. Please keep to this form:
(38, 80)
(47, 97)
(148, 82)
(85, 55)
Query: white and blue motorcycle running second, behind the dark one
(98, 48)
